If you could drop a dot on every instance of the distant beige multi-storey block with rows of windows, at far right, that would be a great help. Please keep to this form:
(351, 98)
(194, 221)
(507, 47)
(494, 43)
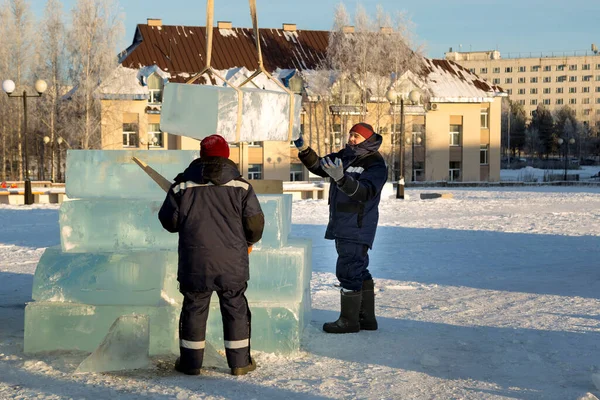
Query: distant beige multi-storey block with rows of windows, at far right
(551, 80)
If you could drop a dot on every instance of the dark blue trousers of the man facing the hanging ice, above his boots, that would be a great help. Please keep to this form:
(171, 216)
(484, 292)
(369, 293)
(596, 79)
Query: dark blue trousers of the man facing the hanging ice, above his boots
(352, 264)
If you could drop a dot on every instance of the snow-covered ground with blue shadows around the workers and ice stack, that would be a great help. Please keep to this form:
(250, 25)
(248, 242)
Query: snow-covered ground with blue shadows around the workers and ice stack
(493, 294)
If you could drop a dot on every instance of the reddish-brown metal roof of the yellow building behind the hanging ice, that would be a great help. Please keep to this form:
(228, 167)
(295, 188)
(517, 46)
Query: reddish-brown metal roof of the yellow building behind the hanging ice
(182, 49)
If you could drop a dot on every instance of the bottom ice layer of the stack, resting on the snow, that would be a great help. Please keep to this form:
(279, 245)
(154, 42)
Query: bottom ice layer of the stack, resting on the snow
(49, 326)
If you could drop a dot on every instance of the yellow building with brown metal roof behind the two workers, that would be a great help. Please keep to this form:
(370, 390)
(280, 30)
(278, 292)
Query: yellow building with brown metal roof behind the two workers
(453, 135)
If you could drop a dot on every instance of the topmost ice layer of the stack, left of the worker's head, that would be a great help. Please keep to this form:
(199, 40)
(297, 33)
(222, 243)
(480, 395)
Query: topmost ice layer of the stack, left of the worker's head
(111, 174)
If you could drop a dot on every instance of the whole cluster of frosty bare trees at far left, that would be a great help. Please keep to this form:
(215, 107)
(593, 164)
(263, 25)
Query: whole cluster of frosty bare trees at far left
(72, 53)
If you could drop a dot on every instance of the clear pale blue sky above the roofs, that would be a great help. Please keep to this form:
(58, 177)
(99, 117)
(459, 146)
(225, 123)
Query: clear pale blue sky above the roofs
(509, 25)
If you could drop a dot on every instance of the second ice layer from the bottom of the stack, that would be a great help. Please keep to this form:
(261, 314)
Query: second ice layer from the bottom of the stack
(150, 278)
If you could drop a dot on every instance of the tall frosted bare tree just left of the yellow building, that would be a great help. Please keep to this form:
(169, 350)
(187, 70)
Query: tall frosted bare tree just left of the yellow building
(97, 27)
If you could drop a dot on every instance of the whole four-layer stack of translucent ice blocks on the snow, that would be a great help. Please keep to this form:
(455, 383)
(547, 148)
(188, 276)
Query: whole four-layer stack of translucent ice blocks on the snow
(116, 259)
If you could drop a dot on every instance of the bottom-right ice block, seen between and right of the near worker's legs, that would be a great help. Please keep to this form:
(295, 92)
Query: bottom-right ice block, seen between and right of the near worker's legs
(276, 328)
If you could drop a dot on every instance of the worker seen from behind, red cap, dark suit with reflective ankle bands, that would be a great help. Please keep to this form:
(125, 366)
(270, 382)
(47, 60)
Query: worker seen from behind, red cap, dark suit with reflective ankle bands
(218, 218)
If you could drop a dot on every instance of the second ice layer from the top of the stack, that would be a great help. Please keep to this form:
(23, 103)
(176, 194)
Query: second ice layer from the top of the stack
(126, 225)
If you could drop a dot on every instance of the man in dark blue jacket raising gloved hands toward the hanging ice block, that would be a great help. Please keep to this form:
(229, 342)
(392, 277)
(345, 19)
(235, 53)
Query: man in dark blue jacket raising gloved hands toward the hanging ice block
(358, 173)
